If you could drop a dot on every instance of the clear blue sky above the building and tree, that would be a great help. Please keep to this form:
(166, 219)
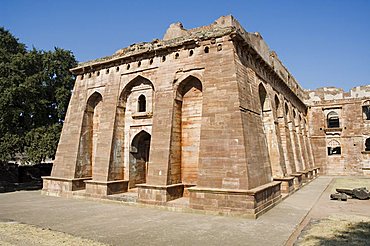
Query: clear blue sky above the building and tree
(321, 42)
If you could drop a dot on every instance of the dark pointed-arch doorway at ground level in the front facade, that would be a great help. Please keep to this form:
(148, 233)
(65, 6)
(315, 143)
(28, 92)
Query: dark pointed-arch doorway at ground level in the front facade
(139, 157)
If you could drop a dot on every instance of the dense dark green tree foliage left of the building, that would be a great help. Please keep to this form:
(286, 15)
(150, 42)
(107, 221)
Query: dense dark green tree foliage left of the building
(35, 88)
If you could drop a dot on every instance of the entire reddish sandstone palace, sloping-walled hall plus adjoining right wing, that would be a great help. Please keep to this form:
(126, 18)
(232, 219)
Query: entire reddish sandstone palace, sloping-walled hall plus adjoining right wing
(209, 115)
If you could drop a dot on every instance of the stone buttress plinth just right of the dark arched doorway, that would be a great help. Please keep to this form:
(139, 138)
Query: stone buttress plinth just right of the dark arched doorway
(159, 195)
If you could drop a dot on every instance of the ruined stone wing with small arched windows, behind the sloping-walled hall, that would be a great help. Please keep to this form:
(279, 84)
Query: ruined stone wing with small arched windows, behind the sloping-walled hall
(339, 125)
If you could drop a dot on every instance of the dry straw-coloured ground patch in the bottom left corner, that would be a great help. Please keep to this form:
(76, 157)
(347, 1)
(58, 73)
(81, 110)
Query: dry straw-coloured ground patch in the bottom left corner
(13, 233)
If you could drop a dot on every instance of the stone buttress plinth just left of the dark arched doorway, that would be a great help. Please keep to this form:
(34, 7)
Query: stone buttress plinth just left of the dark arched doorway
(105, 188)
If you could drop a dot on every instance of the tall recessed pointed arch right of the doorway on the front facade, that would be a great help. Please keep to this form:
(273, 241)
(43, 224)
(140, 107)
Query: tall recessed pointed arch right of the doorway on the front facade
(186, 130)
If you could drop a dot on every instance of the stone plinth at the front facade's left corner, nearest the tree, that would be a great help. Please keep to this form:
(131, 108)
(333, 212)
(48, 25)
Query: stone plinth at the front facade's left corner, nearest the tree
(56, 186)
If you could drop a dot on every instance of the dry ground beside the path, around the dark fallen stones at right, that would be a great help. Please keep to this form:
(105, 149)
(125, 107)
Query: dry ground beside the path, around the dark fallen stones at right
(332, 222)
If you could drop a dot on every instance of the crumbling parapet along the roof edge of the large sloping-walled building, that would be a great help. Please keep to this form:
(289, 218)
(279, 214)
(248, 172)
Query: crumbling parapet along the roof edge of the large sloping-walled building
(176, 35)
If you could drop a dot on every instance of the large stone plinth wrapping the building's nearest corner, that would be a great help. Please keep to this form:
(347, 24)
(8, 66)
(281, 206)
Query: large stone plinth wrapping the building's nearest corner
(250, 203)
